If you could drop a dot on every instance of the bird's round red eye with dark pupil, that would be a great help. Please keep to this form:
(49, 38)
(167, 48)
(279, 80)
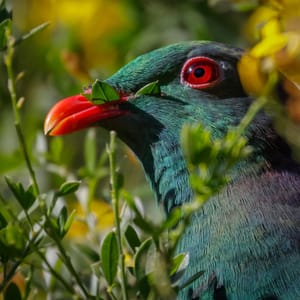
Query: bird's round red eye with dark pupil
(200, 72)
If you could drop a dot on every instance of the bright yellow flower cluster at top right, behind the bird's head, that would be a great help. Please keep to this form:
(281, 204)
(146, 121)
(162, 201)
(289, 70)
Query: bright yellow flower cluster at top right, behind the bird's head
(275, 27)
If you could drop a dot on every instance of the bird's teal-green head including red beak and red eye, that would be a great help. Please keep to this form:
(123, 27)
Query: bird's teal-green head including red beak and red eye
(198, 82)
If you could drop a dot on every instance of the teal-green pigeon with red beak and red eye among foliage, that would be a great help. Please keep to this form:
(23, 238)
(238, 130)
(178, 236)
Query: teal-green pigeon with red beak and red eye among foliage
(246, 238)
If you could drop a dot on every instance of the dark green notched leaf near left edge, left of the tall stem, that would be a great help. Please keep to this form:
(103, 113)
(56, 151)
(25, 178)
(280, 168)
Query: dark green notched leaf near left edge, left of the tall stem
(25, 198)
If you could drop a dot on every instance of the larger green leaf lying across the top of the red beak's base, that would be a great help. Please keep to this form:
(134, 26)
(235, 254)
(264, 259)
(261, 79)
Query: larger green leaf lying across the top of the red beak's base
(103, 92)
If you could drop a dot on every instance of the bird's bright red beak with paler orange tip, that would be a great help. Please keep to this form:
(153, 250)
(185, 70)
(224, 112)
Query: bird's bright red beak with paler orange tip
(77, 112)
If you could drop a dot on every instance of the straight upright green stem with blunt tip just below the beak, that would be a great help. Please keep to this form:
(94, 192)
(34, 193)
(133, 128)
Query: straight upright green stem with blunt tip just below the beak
(115, 204)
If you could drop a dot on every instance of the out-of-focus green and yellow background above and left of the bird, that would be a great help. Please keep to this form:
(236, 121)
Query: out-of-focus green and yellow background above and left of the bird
(87, 40)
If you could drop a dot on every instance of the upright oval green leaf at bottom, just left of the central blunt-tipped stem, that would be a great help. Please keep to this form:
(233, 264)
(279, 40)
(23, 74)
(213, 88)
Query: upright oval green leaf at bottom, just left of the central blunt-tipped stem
(110, 257)
